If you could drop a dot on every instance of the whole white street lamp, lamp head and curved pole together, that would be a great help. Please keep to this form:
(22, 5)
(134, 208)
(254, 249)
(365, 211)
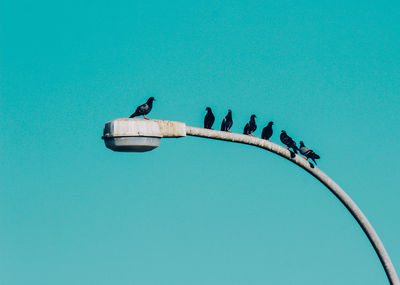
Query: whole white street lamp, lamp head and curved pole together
(139, 135)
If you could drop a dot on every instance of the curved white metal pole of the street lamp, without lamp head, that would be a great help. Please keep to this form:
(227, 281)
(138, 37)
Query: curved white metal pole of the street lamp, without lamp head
(317, 173)
